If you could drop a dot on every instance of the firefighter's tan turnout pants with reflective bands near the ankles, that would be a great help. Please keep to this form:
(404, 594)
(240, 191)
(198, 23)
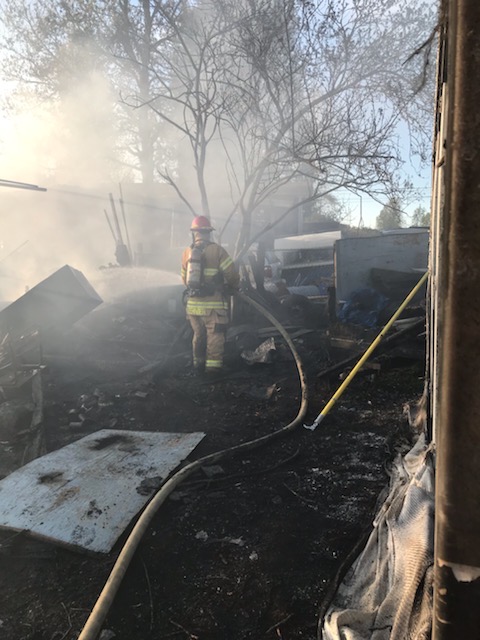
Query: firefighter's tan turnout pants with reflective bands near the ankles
(208, 342)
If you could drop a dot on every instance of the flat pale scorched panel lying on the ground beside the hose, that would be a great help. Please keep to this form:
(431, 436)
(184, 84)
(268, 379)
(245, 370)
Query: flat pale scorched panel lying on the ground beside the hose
(86, 494)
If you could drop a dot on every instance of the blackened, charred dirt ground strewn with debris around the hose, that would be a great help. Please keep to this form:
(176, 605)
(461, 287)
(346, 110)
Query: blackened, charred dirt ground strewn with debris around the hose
(245, 549)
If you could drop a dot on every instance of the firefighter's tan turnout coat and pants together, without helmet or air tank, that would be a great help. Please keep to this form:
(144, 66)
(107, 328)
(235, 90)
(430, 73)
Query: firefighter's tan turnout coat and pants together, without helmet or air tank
(208, 309)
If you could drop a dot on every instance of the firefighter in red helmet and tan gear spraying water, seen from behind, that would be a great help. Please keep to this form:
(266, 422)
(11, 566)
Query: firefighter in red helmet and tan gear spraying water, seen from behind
(210, 276)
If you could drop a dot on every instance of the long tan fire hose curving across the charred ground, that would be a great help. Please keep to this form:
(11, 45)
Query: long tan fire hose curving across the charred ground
(99, 612)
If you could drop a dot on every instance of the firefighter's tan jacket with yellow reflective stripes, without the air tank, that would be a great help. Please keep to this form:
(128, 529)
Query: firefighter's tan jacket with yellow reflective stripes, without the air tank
(219, 268)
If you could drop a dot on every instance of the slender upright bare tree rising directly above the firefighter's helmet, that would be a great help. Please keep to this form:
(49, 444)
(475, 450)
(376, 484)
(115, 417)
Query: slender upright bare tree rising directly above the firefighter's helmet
(189, 103)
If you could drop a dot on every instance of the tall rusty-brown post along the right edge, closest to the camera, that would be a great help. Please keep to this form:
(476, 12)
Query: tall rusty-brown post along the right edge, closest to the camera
(456, 613)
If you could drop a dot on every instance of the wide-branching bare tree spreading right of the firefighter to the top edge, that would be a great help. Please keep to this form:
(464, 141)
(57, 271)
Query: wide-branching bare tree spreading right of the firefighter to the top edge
(300, 91)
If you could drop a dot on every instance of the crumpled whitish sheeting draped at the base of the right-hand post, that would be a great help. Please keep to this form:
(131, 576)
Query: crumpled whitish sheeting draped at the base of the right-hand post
(387, 593)
